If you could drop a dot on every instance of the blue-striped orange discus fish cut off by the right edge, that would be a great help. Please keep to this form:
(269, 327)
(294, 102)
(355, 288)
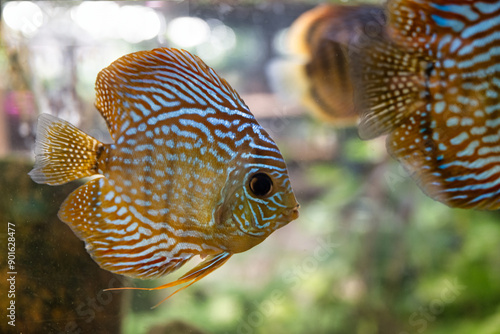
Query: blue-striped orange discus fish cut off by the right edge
(434, 86)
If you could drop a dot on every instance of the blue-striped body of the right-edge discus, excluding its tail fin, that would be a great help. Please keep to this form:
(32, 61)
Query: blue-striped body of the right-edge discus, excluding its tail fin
(461, 167)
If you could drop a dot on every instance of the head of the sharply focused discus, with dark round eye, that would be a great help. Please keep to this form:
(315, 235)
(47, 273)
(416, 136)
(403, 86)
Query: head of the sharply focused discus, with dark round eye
(259, 203)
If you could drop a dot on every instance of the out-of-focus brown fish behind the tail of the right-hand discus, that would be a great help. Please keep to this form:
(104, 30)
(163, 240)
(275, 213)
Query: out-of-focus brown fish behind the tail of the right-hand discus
(325, 37)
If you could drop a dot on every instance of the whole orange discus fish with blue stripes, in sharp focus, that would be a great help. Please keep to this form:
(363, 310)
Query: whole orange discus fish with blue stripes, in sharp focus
(190, 171)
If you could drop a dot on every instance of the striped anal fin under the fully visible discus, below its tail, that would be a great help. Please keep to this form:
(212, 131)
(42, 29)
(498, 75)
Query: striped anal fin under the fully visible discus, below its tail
(117, 237)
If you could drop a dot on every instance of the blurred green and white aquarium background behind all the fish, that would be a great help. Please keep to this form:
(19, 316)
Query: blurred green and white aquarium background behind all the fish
(369, 254)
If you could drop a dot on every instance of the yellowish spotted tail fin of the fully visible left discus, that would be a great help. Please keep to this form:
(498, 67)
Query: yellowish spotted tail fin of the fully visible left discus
(63, 152)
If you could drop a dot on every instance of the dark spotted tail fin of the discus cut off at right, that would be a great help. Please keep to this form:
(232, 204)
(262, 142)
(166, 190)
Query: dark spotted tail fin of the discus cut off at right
(390, 85)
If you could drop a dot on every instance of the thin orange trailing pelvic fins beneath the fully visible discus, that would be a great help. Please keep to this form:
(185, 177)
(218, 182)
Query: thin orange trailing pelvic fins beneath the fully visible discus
(206, 267)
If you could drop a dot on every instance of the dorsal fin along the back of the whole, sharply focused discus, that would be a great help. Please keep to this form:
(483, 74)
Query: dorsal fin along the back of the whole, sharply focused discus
(147, 84)
